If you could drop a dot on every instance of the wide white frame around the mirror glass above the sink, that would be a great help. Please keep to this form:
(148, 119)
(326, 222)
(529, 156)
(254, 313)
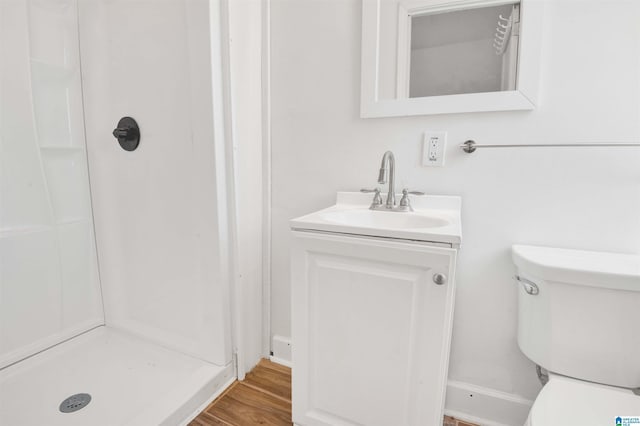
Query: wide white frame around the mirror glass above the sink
(525, 96)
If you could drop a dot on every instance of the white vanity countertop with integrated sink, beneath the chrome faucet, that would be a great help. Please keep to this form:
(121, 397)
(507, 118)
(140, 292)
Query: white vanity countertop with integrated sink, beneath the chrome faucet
(435, 219)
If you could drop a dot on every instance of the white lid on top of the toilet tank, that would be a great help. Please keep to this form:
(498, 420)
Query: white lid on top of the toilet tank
(591, 268)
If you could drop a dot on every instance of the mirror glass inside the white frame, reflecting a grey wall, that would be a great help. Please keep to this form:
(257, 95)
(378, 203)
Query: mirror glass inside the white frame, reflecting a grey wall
(448, 52)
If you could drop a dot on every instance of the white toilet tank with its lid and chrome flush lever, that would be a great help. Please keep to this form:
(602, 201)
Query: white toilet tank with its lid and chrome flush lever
(584, 321)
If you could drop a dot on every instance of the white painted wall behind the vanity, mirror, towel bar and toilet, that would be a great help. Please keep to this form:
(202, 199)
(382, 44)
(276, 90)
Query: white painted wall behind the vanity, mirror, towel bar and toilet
(567, 197)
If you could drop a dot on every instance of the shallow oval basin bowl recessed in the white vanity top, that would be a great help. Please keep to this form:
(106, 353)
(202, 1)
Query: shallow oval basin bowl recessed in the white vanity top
(382, 219)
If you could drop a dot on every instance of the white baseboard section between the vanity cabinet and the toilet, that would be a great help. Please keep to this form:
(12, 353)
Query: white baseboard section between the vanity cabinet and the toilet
(484, 406)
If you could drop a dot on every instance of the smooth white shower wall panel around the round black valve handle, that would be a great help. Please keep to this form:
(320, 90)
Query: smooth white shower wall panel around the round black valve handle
(161, 210)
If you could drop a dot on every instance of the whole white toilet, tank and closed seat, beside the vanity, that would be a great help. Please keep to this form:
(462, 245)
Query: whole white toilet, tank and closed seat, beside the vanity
(579, 318)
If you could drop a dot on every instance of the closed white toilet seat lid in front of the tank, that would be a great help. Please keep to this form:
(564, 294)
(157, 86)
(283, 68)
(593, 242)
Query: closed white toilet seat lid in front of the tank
(565, 401)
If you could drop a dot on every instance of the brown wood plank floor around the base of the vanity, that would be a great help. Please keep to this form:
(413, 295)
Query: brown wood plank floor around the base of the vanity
(263, 398)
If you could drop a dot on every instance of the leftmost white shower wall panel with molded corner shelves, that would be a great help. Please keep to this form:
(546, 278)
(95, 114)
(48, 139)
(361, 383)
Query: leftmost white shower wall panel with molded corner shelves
(49, 288)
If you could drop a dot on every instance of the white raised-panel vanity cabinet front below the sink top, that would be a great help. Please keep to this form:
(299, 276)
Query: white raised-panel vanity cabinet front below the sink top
(371, 330)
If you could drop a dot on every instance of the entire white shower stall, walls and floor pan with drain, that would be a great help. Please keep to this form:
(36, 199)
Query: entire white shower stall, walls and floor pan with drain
(114, 265)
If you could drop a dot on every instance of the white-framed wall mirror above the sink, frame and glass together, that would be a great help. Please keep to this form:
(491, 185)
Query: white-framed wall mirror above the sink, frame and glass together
(445, 56)
